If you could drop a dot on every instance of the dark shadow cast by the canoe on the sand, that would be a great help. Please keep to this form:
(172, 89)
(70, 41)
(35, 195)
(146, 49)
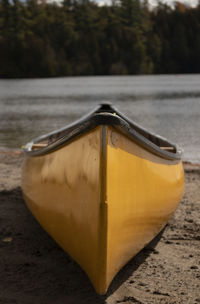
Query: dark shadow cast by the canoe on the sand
(34, 269)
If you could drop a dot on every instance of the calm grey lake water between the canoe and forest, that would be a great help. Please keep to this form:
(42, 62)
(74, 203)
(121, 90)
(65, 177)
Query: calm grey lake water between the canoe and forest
(167, 105)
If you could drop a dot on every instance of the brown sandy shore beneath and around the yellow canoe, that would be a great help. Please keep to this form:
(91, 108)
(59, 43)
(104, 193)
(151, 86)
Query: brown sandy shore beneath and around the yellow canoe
(34, 269)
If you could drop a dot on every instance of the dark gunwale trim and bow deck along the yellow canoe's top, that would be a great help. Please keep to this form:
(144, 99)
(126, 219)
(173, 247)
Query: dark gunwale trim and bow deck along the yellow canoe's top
(105, 114)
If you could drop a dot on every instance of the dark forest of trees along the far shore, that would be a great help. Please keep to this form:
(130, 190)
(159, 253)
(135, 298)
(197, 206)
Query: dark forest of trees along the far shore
(80, 37)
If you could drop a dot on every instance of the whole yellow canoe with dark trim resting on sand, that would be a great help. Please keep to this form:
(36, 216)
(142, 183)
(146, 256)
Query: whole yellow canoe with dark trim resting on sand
(103, 188)
